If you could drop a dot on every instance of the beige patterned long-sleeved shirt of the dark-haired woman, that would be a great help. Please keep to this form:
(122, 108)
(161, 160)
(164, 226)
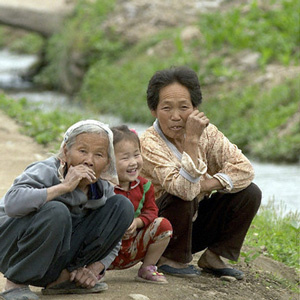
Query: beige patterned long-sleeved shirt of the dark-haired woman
(174, 172)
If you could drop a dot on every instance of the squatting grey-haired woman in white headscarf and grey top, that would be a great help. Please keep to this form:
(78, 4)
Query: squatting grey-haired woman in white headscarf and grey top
(61, 223)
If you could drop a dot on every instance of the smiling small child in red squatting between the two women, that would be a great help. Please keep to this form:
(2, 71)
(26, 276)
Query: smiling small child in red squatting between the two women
(148, 236)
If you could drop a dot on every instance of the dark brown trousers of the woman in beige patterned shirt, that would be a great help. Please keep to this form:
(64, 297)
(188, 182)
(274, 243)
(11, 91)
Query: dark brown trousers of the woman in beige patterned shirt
(221, 226)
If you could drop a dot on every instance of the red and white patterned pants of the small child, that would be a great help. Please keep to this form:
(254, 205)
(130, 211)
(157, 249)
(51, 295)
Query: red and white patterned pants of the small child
(134, 249)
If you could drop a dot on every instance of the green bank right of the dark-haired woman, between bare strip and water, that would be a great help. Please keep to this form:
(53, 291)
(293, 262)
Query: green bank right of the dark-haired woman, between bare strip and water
(256, 120)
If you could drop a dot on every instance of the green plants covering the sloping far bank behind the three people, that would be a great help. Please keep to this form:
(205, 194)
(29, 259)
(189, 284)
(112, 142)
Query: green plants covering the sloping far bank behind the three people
(113, 73)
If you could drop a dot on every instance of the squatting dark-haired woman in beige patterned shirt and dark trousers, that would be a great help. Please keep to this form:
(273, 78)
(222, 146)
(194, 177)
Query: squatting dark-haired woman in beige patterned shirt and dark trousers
(202, 181)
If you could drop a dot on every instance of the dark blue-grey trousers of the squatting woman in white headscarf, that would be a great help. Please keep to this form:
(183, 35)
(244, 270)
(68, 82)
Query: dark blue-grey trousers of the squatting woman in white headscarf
(35, 249)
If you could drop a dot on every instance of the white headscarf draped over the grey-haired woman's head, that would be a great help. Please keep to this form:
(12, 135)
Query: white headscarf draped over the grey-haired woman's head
(111, 173)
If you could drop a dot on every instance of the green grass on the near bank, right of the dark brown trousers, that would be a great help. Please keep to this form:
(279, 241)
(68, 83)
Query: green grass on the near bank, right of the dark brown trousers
(275, 233)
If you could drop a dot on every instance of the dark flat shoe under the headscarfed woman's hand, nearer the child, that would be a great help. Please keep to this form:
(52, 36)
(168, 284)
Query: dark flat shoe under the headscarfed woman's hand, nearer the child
(70, 287)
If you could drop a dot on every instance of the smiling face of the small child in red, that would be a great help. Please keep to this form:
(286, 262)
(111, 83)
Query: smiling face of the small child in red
(129, 162)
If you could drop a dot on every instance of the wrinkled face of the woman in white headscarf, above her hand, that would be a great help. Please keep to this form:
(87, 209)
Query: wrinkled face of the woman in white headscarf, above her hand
(91, 150)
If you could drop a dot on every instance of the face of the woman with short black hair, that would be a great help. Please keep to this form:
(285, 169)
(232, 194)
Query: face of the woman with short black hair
(173, 109)
